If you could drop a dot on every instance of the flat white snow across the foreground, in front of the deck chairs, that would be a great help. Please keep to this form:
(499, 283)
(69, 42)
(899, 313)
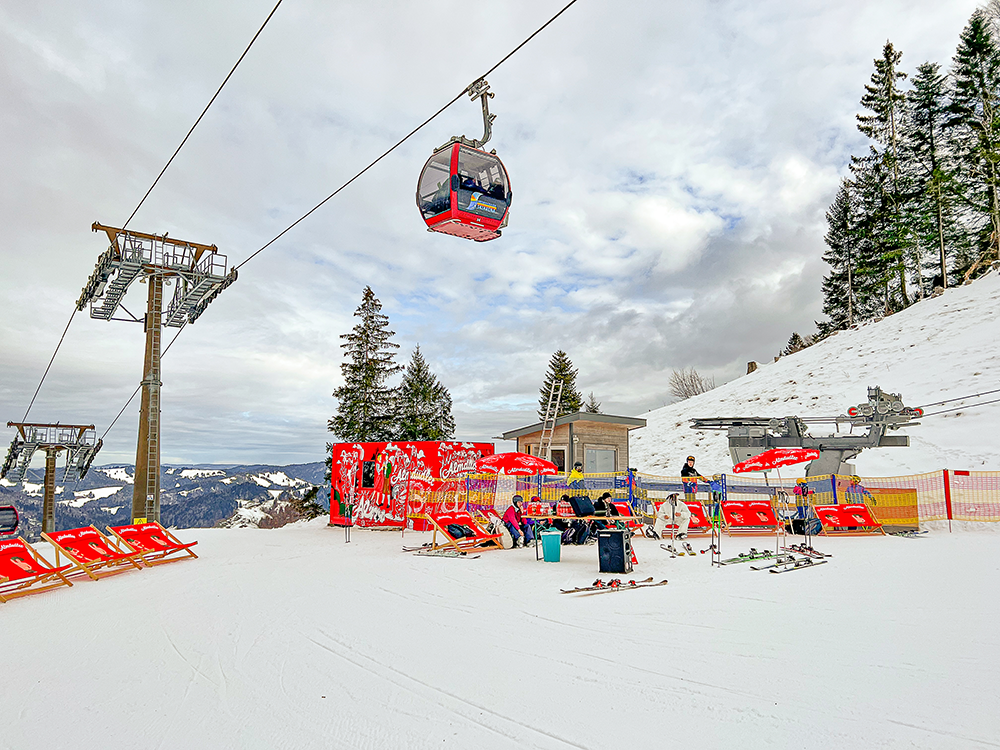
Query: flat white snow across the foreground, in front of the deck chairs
(290, 638)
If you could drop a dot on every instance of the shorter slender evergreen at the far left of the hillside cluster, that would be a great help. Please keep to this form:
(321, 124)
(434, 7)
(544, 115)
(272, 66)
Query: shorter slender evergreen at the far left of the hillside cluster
(842, 238)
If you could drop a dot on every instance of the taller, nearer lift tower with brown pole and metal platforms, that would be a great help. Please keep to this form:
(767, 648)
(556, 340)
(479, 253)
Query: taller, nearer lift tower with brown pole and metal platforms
(200, 275)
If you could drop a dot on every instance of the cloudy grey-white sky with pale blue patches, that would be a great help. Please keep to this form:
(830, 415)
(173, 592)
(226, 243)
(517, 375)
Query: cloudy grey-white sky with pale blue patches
(671, 164)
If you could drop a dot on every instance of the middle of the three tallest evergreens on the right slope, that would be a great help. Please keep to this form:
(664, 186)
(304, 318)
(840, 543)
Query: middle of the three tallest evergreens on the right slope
(932, 213)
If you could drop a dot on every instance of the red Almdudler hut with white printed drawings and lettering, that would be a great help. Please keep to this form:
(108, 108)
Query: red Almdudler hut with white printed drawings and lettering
(370, 480)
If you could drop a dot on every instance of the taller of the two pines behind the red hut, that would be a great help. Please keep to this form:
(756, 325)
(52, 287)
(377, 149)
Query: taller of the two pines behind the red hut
(365, 404)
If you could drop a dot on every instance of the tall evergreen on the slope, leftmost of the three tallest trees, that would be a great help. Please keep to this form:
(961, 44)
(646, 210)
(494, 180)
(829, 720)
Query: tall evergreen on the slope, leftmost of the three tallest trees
(884, 101)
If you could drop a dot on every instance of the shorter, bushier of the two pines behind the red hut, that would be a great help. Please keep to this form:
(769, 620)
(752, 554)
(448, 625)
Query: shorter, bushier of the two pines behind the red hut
(423, 404)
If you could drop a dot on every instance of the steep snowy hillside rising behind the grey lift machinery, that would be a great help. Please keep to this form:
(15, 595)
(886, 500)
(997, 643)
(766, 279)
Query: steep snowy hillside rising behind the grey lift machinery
(938, 349)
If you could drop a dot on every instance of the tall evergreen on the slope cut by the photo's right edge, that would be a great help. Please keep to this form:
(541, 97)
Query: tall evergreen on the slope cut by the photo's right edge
(974, 129)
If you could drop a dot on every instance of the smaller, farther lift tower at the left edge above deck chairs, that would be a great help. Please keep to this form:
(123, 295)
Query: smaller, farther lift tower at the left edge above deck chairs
(80, 443)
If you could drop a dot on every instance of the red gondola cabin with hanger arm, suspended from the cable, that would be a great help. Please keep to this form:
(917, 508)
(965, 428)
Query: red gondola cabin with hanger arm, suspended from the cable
(463, 190)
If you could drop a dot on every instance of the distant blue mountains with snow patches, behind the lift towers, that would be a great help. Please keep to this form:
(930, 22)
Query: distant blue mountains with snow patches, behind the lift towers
(197, 496)
